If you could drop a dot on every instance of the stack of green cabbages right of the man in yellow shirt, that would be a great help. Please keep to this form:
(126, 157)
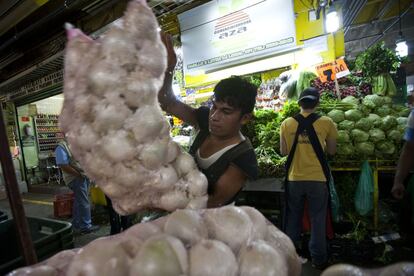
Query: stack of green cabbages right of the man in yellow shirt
(372, 129)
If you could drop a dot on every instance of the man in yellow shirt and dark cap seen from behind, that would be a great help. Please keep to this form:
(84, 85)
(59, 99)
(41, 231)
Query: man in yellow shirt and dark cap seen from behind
(307, 172)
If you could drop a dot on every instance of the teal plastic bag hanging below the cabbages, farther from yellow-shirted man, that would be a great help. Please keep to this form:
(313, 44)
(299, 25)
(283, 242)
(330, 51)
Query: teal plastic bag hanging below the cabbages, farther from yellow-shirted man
(364, 192)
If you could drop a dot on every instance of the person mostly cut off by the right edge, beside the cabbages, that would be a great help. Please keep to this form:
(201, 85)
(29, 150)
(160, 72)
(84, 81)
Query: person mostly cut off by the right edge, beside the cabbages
(404, 166)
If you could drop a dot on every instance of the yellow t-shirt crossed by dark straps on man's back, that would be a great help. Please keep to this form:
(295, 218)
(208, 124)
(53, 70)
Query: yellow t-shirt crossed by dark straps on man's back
(305, 165)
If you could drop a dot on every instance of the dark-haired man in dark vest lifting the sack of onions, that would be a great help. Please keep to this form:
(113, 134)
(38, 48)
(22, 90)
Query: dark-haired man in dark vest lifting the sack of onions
(223, 154)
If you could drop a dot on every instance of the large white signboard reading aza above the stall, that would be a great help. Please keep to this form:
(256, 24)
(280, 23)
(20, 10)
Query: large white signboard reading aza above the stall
(222, 33)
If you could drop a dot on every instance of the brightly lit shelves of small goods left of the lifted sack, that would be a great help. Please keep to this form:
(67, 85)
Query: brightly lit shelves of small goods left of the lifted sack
(48, 132)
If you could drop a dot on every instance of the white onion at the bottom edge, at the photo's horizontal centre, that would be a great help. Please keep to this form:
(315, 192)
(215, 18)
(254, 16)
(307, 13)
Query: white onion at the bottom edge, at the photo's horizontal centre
(211, 258)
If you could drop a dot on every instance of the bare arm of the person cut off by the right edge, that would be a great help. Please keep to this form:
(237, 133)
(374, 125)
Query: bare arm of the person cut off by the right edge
(405, 164)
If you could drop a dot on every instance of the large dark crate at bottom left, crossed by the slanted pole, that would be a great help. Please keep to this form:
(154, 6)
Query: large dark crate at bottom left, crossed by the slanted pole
(49, 237)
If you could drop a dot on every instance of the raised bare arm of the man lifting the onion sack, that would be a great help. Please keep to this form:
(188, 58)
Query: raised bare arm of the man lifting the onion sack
(169, 103)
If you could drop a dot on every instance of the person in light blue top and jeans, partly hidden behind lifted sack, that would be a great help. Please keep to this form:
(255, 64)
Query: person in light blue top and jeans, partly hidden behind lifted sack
(78, 182)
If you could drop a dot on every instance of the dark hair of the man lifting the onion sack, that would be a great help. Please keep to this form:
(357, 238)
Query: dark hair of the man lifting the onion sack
(236, 92)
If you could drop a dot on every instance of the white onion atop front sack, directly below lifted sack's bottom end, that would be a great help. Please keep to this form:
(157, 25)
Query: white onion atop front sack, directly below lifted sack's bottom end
(186, 225)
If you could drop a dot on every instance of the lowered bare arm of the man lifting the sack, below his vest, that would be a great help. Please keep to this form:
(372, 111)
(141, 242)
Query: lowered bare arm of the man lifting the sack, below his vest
(226, 187)
